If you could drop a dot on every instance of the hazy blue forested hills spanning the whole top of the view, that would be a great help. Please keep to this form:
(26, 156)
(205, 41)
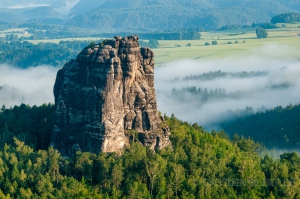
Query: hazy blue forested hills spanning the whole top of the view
(111, 16)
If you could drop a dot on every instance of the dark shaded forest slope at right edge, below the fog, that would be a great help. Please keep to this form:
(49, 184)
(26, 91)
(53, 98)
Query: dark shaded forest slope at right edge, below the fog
(278, 127)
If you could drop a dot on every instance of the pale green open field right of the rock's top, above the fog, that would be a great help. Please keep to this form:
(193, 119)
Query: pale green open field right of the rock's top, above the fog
(241, 43)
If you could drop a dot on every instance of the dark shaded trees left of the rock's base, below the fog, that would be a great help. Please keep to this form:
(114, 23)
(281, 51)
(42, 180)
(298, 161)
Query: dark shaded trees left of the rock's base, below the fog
(32, 125)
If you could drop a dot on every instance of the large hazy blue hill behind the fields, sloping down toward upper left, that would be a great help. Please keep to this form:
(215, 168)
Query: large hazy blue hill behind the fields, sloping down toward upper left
(137, 15)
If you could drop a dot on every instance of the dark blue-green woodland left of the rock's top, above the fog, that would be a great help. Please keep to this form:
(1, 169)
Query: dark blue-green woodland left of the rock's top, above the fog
(25, 54)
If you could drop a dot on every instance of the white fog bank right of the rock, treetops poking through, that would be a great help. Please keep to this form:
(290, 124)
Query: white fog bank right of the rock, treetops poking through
(278, 83)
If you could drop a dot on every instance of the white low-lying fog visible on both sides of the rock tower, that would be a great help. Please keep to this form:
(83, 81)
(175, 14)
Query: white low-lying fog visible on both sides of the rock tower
(195, 91)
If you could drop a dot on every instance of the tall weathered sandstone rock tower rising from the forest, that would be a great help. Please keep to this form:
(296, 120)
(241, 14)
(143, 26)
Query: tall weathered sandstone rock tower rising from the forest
(106, 96)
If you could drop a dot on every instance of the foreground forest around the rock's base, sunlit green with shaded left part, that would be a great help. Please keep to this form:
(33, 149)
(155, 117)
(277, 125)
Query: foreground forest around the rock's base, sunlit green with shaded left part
(199, 164)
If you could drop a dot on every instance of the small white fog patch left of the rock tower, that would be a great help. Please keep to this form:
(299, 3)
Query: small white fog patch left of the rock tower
(32, 86)
